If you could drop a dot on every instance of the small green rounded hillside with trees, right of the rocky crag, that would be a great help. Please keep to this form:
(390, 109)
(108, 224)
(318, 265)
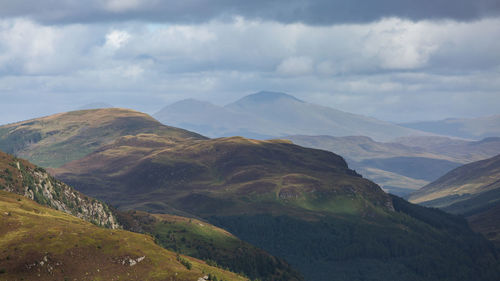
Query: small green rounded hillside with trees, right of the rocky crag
(218, 247)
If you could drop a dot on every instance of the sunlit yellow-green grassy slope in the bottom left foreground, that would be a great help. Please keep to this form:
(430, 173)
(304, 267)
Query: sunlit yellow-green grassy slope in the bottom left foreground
(39, 243)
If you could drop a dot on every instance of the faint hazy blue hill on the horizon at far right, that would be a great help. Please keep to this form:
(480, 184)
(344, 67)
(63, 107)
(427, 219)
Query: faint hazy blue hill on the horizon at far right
(473, 128)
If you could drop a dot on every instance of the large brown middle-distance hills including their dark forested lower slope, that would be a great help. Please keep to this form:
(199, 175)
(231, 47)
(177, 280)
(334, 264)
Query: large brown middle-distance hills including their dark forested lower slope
(300, 204)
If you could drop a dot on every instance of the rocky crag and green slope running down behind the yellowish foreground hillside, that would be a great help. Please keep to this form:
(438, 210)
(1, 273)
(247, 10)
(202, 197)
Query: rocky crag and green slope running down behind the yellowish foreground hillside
(193, 239)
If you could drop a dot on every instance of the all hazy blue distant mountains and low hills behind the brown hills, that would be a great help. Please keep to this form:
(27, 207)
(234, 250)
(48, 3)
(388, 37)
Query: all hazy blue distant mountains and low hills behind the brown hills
(398, 159)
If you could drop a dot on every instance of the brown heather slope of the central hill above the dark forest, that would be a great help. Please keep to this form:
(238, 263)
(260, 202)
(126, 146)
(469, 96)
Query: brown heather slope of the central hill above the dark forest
(227, 175)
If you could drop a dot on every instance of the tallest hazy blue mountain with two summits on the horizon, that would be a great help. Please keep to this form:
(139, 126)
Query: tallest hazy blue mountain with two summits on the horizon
(269, 114)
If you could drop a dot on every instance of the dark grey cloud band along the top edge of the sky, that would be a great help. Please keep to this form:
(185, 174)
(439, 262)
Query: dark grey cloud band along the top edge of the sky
(315, 12)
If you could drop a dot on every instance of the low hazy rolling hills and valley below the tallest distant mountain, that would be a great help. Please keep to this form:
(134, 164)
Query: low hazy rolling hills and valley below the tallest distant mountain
(406, 164)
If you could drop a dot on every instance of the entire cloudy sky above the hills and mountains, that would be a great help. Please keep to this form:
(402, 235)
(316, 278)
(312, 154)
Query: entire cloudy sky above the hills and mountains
(396, 60)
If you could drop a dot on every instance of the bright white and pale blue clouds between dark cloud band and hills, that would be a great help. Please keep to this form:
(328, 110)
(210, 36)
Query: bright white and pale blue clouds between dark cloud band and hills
(391, 69)
